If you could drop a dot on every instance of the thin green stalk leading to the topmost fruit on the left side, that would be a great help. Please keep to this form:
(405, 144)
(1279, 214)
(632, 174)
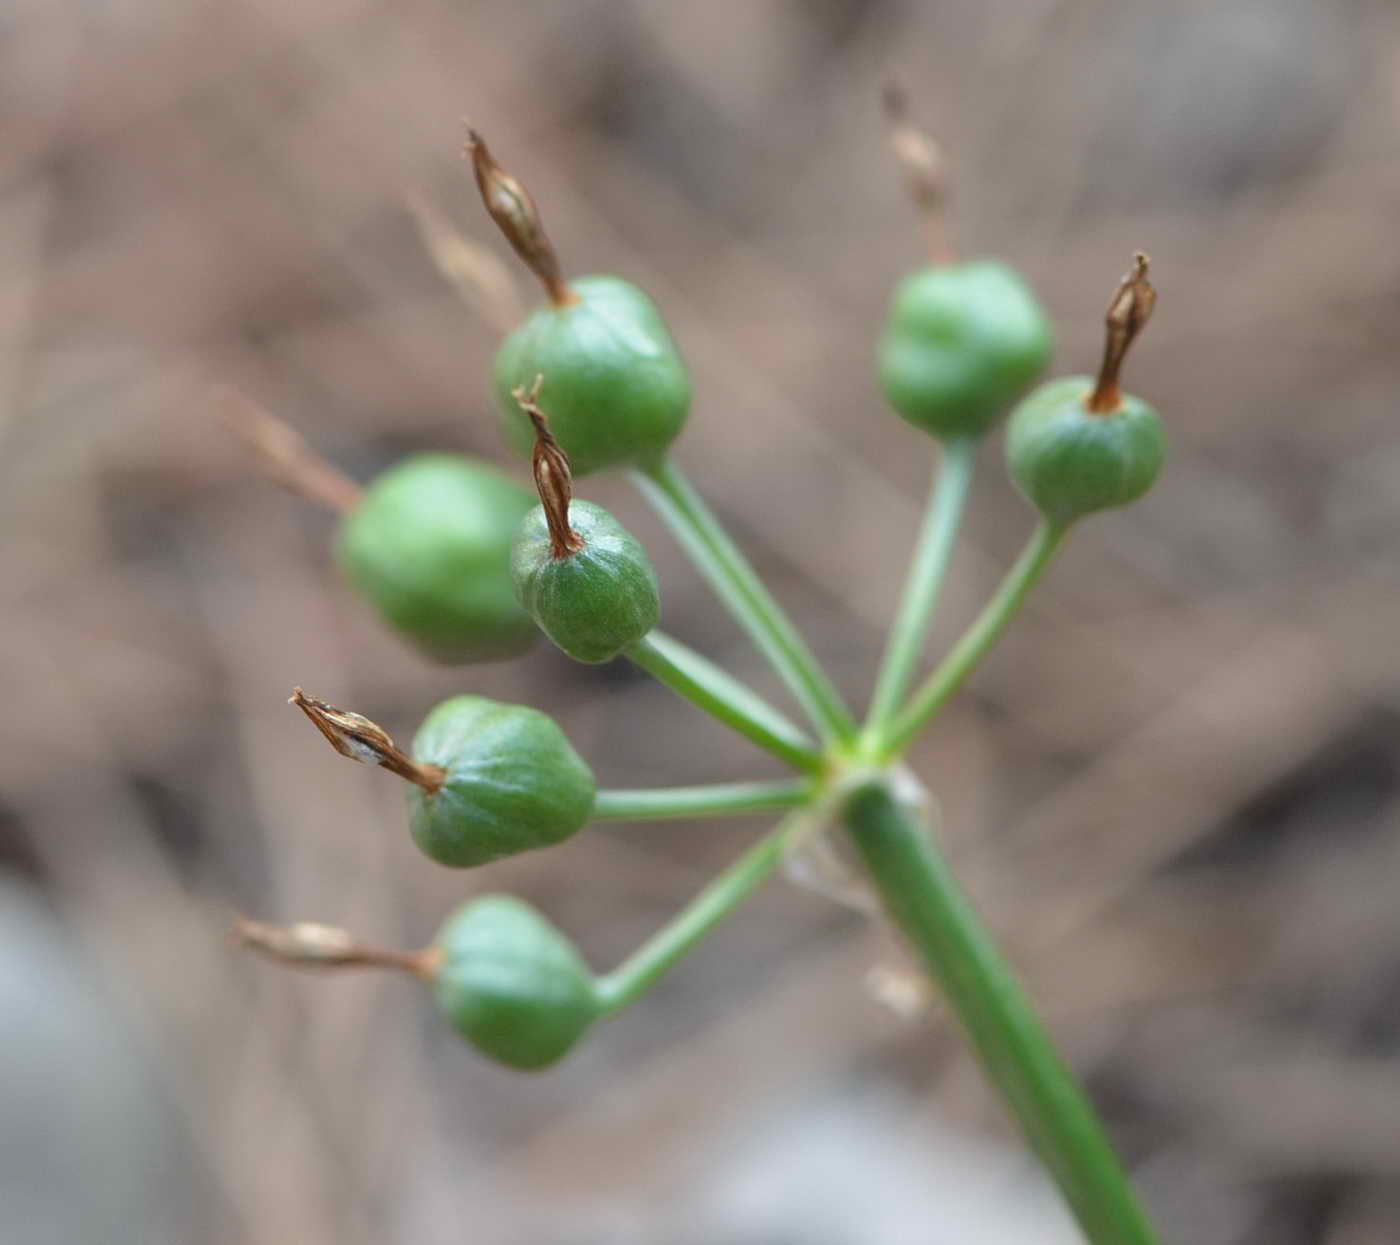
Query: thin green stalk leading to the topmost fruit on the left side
(737, 585)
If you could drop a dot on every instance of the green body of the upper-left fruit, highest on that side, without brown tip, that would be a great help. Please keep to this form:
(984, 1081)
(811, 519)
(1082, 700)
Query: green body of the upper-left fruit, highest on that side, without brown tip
(617, 389)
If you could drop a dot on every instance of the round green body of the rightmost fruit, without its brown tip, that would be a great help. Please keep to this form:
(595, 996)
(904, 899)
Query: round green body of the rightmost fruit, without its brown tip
(1072, 461)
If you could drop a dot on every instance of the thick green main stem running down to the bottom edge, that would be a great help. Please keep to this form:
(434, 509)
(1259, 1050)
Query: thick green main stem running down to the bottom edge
(1014, 1050)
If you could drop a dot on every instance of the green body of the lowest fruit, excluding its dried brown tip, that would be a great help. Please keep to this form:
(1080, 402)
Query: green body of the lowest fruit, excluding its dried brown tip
(512, 984)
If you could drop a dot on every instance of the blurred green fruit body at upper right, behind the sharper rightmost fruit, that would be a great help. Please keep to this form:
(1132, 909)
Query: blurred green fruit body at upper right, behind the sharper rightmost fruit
(962, 344)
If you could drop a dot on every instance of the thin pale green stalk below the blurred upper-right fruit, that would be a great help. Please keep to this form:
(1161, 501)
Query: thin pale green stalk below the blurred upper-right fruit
(937, 537)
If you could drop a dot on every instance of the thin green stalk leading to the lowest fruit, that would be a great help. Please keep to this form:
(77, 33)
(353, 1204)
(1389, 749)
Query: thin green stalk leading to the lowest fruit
(639, 973)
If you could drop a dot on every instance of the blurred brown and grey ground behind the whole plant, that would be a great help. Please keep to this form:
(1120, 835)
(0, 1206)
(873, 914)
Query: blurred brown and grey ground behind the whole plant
(1175, 789)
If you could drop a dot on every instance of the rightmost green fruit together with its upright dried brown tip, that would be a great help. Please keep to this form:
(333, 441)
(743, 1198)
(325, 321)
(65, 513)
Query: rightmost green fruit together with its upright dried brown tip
(1077, 445)
